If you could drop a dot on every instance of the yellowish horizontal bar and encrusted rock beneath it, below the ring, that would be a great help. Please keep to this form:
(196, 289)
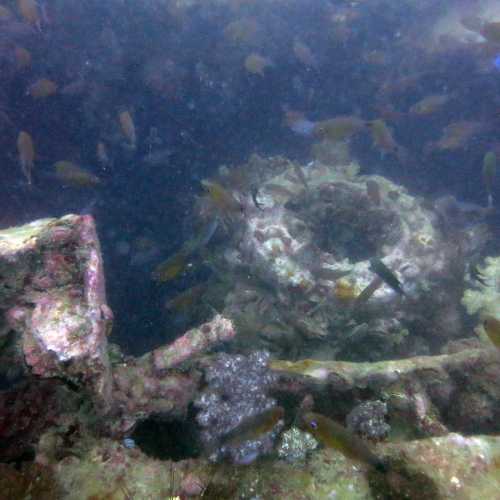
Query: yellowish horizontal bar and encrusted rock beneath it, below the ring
(427, 395)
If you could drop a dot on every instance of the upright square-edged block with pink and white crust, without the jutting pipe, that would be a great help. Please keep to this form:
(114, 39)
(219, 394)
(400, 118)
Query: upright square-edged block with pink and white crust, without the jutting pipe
(56, 308)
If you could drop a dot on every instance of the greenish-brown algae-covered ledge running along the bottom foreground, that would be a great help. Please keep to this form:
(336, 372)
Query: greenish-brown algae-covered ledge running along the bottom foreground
(449, 467)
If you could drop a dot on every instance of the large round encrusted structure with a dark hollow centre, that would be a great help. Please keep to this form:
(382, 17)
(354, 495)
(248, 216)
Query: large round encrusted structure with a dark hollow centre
(307, 246)
